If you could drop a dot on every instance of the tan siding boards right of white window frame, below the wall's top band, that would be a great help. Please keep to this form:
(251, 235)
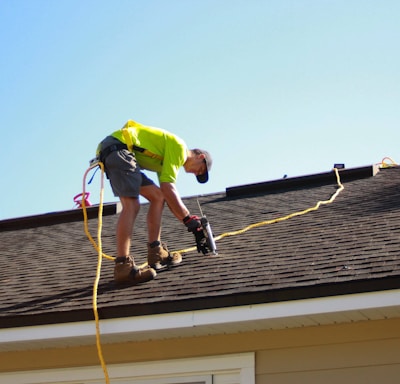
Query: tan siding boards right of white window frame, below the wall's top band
(362, 362)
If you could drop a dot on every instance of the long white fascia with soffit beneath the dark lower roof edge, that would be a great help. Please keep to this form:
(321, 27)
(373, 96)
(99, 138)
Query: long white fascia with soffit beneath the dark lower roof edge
(333, 309)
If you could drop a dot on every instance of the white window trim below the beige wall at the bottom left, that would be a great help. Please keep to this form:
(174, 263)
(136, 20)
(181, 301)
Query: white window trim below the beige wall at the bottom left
(240, 366)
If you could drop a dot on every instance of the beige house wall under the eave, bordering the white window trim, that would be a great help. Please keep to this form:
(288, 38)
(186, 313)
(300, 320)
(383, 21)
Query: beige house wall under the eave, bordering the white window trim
(362, 352)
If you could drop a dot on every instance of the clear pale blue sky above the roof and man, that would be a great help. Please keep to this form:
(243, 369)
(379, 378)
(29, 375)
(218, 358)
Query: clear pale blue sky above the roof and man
(269, 87)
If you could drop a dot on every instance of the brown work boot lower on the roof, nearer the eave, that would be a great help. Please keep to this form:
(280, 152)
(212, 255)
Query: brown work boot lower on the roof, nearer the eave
(125, 270)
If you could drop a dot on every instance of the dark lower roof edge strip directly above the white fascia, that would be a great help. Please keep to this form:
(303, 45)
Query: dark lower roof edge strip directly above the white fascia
(281, 295)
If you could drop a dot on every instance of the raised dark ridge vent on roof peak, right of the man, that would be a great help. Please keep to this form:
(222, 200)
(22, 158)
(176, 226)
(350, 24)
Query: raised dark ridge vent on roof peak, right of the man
(303, 181)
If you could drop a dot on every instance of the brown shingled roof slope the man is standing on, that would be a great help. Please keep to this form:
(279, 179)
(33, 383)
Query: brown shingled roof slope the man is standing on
(47, 268)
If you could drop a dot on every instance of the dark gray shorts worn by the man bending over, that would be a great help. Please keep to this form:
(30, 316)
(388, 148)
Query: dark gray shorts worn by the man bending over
(123, 171)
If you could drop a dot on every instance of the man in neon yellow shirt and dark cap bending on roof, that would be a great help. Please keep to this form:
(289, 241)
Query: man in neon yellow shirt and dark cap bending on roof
(125, 153)
